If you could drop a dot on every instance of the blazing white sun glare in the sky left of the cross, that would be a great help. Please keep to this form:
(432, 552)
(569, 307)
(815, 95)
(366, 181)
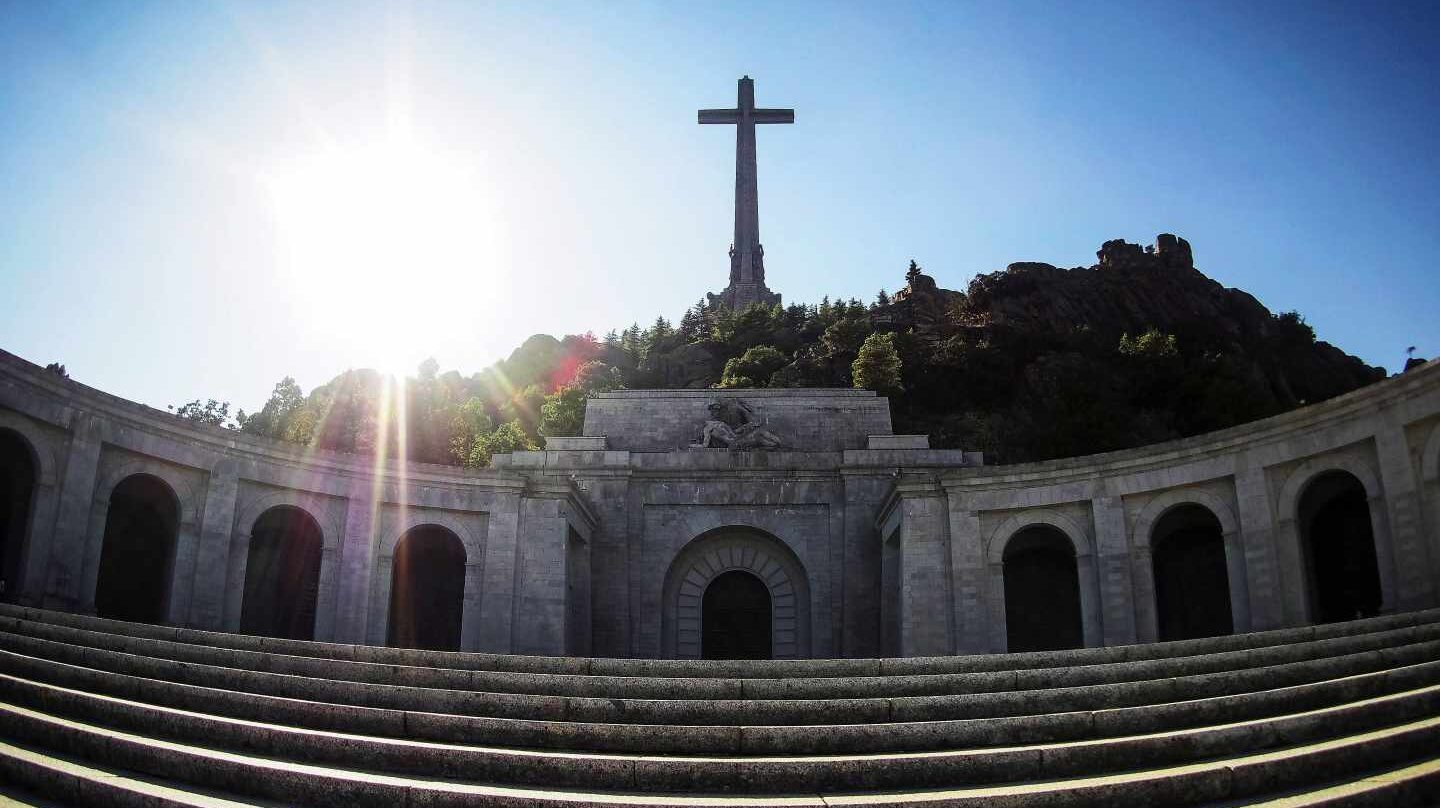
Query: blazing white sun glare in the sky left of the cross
(387, 248)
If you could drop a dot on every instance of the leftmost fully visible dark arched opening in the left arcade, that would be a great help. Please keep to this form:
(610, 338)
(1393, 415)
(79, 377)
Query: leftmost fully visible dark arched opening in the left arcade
(139, 551)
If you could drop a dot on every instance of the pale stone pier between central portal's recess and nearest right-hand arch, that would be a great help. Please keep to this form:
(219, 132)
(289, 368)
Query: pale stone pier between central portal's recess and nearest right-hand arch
(925, 573)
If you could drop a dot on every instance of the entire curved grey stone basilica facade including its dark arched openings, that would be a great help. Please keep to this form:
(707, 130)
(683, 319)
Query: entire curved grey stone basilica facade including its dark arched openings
(722, 524)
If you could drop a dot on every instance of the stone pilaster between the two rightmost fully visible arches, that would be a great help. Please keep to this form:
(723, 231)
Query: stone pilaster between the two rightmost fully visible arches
(1258, 537)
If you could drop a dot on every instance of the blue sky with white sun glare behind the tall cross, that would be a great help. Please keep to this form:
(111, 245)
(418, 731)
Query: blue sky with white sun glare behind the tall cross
(201, 198)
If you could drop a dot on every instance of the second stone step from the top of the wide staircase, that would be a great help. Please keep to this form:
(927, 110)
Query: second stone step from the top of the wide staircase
(721, 689)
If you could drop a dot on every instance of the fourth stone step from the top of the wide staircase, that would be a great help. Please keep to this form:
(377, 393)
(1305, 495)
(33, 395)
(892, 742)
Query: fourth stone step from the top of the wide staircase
(914, 737)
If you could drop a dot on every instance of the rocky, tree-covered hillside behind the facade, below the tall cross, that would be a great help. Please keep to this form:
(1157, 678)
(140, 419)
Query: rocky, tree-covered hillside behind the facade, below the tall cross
(1029, 364)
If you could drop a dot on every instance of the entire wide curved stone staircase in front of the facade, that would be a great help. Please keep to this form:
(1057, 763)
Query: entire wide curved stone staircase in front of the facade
(99, 712)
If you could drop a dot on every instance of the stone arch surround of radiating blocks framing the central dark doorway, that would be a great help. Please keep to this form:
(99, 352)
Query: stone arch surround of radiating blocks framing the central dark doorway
(737, 549)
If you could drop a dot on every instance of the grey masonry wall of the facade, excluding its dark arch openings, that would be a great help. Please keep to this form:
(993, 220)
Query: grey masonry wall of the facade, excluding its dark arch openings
(873, 542)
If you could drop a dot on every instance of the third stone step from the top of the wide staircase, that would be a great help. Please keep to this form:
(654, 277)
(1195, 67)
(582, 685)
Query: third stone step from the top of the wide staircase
(725, 712)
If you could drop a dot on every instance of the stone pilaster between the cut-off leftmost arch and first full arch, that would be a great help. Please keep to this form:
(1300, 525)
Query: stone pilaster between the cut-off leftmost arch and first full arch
(66, 573)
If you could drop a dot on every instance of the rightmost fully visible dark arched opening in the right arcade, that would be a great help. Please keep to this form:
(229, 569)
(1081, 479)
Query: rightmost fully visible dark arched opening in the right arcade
(1340, 548)
